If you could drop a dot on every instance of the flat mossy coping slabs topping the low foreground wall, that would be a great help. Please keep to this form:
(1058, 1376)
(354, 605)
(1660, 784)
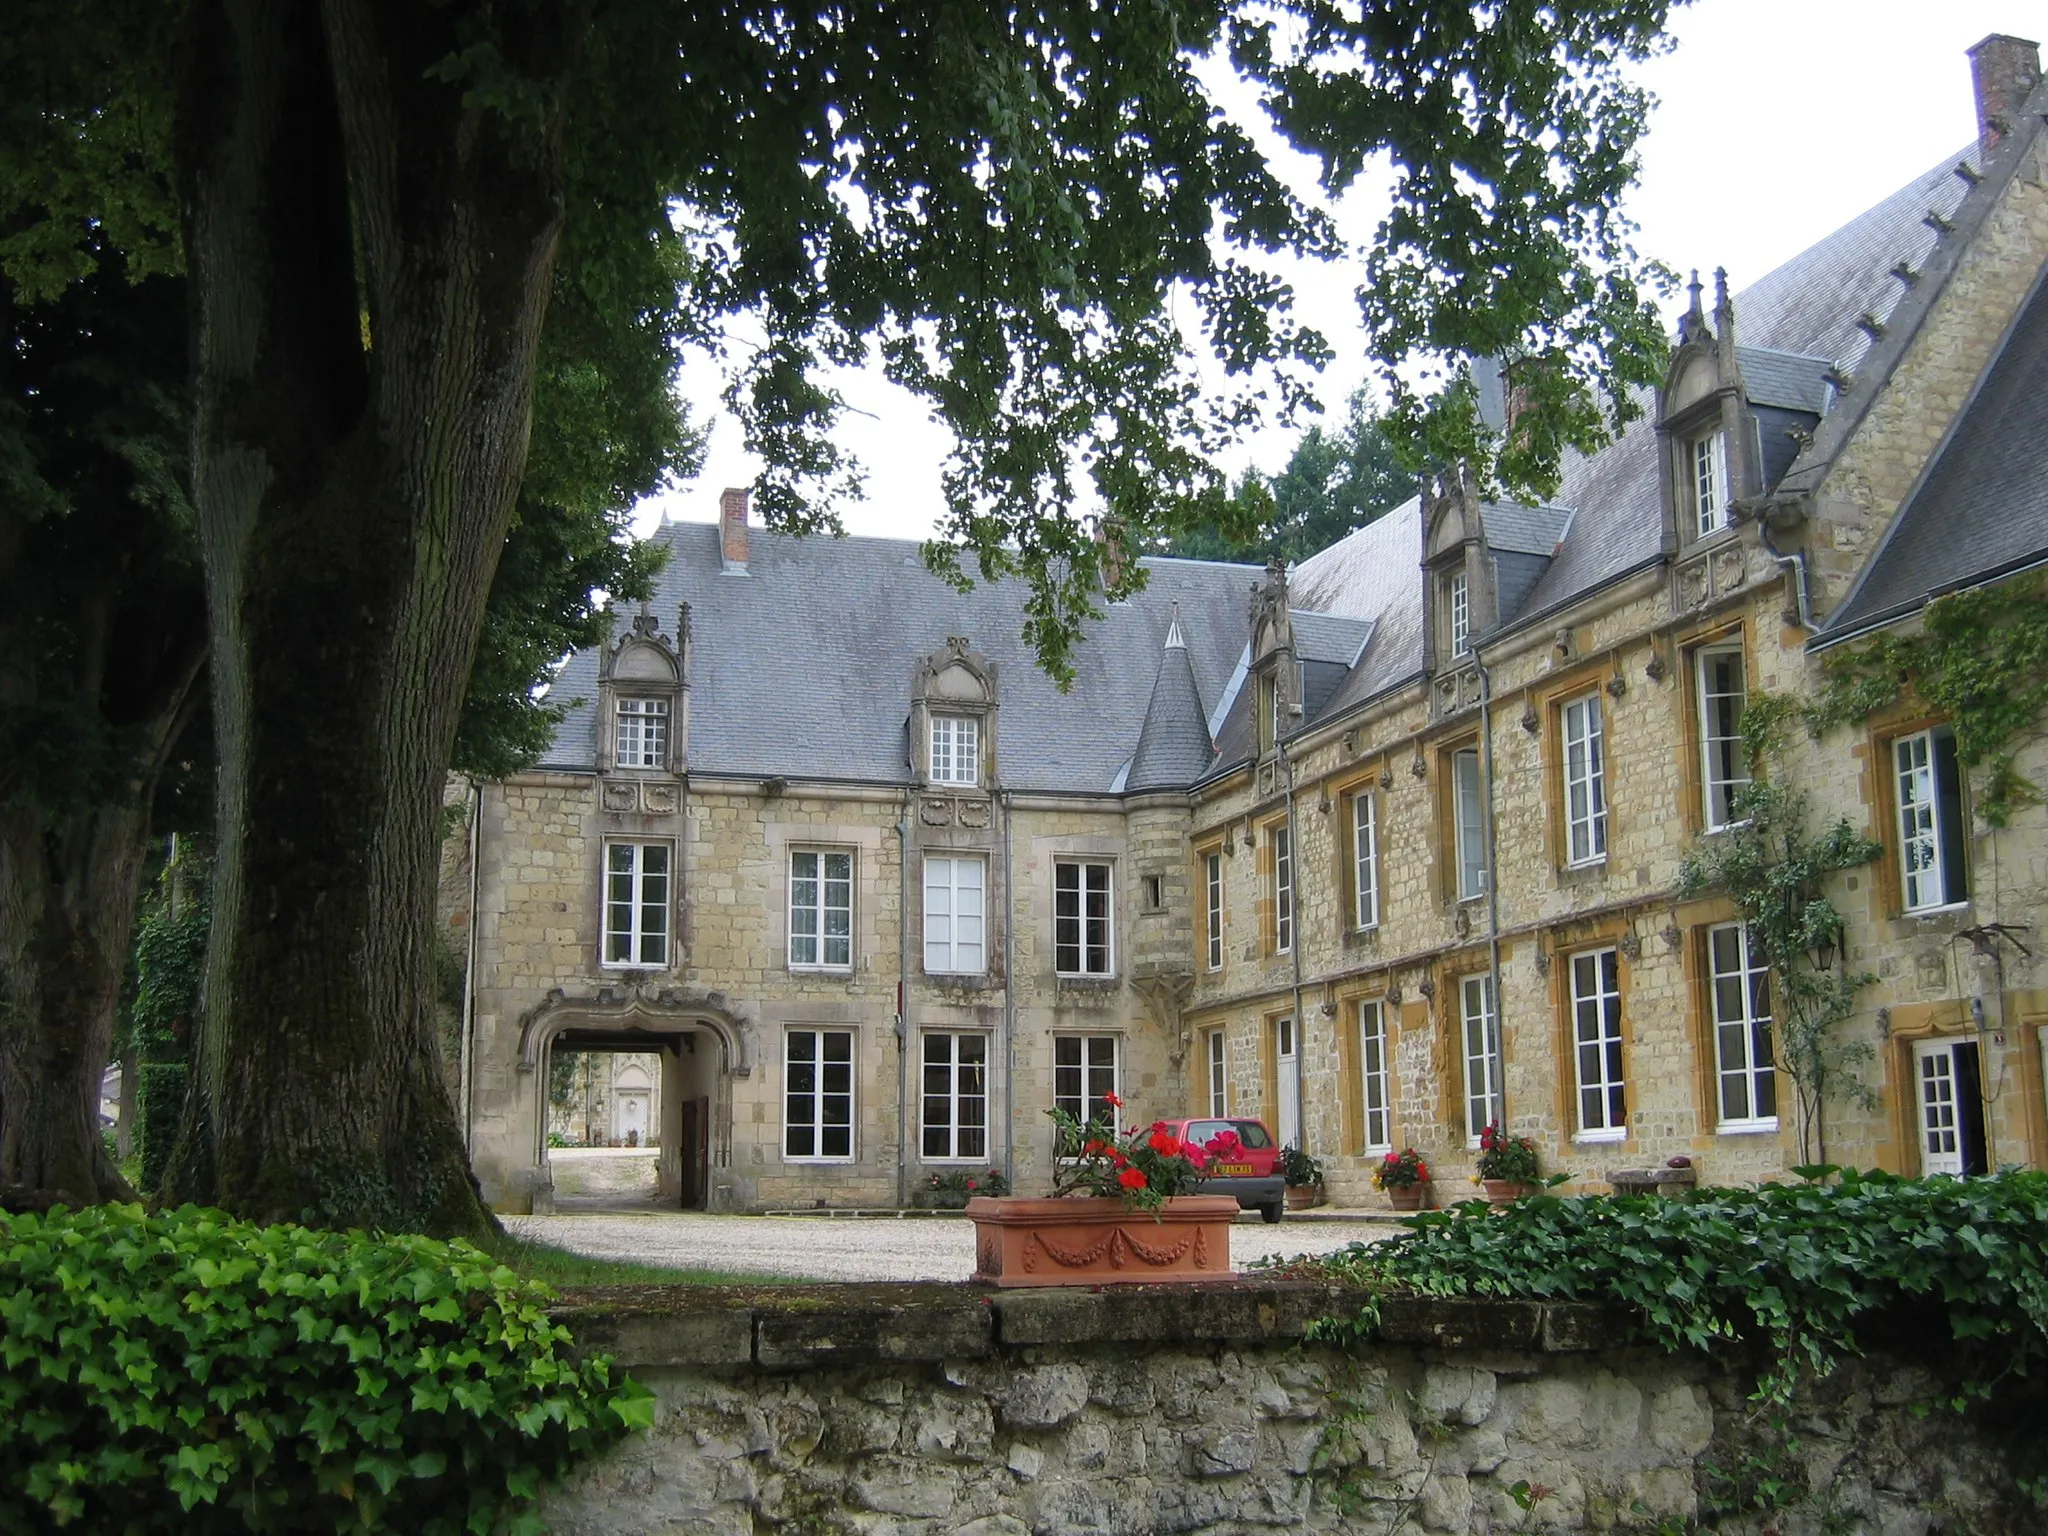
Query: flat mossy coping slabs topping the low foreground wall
(798, 1328)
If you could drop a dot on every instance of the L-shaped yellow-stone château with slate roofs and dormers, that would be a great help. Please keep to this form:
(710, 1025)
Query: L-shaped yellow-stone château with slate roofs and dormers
(1381, 849)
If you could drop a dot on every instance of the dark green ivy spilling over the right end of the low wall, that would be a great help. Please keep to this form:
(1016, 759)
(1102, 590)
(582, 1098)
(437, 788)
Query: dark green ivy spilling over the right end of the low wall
(1797, 1267)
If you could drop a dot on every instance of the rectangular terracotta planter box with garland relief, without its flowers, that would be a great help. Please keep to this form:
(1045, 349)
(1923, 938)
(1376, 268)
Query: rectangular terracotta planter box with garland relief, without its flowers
(1097, 1242)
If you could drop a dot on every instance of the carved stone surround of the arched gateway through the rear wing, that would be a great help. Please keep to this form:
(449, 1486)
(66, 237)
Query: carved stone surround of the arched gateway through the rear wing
(701, 1039)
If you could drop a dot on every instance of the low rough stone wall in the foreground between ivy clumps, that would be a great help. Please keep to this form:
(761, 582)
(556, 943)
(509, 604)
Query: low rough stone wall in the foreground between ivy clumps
(935, 1410)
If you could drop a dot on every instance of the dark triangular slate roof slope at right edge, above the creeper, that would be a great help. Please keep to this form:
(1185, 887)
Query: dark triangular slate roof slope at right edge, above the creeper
(1981, 507)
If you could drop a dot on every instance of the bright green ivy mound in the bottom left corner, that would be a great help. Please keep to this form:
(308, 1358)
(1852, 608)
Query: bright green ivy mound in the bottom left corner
(189, 1373)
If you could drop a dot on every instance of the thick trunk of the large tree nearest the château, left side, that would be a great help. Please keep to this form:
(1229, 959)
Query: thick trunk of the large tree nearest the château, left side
(351, 507)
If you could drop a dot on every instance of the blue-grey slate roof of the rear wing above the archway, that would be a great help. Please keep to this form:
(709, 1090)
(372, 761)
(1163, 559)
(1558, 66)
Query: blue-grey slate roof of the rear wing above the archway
(804, 667)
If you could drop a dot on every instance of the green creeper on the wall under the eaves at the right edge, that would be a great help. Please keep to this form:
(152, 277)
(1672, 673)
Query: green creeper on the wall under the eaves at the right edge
(1981, 658)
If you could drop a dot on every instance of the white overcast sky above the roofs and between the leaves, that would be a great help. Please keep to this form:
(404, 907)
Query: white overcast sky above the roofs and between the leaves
(1822, 108)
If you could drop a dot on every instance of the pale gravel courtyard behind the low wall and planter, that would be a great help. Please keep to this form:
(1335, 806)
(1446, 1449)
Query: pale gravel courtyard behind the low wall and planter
(855, 1248)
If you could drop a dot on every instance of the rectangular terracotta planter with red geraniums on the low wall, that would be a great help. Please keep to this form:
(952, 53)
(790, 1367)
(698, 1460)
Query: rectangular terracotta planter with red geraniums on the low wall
(1121, 1211)
